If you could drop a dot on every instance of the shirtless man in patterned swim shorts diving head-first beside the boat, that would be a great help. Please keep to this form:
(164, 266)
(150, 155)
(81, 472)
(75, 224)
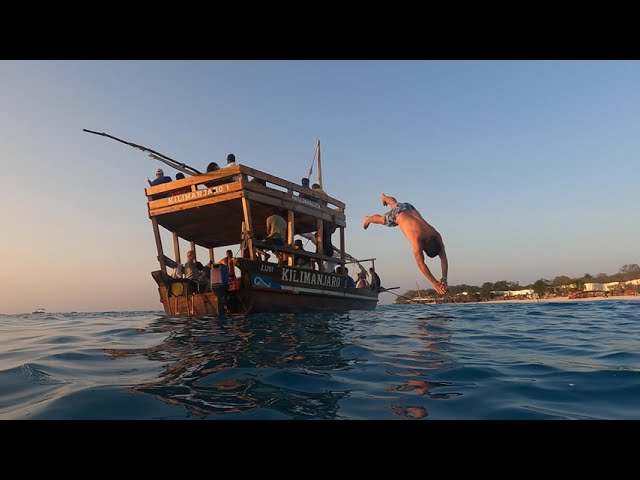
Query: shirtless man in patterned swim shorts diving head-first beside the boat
(422, 236)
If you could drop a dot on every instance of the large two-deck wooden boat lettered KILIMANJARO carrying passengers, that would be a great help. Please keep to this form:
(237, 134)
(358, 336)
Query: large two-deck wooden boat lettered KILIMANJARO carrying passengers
(229, 207)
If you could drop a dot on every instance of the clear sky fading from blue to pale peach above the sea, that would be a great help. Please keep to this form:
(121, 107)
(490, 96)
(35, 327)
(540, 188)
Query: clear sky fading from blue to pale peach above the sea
(528, 169)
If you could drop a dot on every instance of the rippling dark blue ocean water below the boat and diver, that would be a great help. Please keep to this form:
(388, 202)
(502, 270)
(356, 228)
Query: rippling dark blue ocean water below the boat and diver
(418, 362)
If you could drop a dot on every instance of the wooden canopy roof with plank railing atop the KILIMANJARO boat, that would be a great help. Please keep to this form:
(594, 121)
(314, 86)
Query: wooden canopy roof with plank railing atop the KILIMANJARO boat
(209, 208)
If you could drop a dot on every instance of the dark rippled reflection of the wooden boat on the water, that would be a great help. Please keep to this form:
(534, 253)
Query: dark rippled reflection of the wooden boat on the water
(278, 364)
